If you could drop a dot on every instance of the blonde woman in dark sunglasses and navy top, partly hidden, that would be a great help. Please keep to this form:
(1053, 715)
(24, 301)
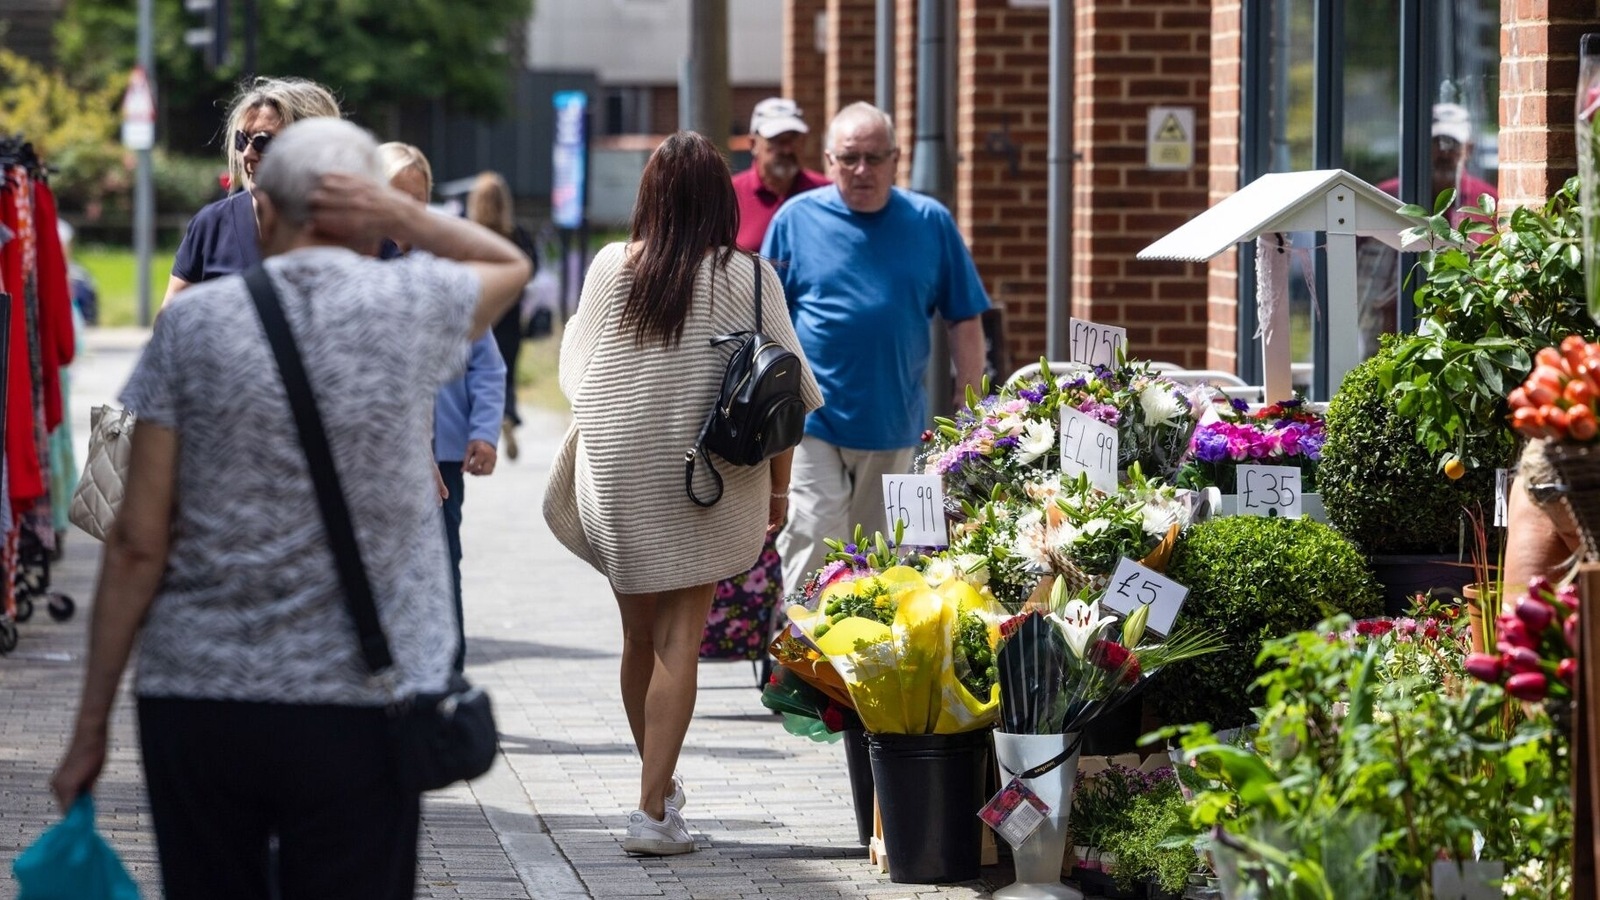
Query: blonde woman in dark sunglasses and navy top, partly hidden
(222, 238)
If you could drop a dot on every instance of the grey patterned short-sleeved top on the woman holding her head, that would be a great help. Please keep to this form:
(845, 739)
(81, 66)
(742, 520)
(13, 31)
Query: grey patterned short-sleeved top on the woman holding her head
(250, 606)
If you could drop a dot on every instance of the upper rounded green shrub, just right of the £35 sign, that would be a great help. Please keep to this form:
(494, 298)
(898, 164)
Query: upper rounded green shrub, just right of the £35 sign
(1383, 489)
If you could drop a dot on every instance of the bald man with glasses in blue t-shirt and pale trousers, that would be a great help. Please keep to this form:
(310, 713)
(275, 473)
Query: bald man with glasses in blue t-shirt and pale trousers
(865, 268)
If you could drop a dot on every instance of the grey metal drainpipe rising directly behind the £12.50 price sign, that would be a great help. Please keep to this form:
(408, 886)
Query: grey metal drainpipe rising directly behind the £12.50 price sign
(1058, 278)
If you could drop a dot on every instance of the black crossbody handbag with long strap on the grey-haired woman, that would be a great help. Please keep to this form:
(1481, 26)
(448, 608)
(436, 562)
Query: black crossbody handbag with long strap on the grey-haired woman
(436, 739)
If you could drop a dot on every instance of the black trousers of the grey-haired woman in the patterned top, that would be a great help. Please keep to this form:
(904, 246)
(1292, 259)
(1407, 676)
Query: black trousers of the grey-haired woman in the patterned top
(228, 777)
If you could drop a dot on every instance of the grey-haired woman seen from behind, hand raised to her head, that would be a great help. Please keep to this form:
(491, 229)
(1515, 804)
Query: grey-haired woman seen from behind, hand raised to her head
(257, 715)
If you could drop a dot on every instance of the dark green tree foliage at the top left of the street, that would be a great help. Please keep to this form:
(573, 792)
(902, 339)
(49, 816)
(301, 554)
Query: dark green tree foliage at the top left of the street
(374, 54)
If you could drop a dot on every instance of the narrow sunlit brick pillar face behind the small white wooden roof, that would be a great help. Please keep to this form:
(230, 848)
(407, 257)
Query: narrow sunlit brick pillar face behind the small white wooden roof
(1225, 158)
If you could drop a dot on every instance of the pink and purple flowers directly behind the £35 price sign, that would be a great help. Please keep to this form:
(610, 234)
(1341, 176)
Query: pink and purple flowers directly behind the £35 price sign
(1284, 435)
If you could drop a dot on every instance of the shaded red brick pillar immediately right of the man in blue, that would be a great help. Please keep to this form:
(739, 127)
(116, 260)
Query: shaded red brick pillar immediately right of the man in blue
(1001, 196)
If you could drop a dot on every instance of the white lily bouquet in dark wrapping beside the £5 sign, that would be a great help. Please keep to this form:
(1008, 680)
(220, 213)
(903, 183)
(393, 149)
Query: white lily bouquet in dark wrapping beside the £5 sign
(1063, 669)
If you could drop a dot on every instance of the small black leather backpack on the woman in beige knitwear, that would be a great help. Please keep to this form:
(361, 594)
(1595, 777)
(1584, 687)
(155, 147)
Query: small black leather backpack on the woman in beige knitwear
(759, 412)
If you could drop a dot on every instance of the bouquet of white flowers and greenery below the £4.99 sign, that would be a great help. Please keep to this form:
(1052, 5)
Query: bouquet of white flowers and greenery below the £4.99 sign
(1063, 528)
